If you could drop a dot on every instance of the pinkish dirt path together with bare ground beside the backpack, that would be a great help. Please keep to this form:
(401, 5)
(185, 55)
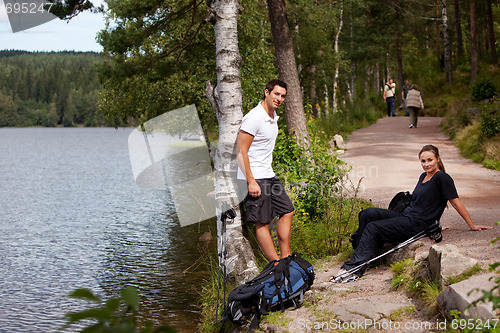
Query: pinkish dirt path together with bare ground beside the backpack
(385, 156)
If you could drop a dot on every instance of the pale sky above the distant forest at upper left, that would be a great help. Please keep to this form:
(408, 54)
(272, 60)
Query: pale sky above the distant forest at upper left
(56, 35)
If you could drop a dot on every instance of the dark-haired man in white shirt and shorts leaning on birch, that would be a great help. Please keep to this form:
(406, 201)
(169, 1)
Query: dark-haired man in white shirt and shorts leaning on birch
(266, 196)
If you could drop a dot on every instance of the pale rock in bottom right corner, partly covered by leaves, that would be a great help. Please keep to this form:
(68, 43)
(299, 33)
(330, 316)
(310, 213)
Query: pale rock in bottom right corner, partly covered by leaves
(459, 296)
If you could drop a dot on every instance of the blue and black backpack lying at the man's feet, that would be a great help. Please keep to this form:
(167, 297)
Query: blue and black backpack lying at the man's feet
(281, 284)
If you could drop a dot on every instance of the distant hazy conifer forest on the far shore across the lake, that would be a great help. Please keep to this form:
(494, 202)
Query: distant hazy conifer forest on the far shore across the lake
(49, 89)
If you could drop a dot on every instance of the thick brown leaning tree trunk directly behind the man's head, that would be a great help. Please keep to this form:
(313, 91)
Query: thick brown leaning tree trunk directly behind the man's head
(287, 68)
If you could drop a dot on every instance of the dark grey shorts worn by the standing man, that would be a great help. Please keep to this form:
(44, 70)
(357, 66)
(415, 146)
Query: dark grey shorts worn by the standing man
(271, 203)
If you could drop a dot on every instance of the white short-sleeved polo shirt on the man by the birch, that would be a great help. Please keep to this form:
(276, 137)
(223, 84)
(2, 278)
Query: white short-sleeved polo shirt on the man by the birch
(264, 129)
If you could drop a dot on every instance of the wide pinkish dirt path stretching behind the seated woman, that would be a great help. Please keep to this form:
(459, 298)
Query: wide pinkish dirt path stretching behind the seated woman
(385, 154)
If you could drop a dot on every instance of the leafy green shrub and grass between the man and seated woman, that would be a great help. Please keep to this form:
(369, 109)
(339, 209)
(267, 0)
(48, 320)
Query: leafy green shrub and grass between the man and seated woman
(324, 215)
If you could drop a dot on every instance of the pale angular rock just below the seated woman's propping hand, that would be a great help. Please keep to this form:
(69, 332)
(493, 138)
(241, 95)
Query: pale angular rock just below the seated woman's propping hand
(446, 261)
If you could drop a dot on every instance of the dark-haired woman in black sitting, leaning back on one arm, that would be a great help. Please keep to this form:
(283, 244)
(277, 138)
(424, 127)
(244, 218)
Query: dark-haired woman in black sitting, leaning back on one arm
(429, 199)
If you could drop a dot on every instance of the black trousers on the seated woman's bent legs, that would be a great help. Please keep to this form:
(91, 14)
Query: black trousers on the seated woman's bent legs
(376, 227)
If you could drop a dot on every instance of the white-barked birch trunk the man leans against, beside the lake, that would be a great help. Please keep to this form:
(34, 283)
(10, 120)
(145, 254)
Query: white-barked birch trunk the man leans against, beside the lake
(225, 99)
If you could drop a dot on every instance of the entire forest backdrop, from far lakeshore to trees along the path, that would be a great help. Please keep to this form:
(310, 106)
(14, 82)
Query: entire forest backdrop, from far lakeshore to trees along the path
(160, 55)
